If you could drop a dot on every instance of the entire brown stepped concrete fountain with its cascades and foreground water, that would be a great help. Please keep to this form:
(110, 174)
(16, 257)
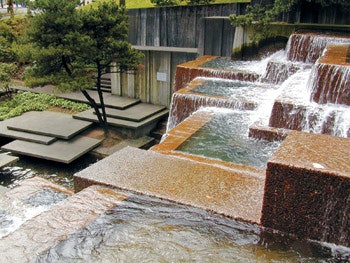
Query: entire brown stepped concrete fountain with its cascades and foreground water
(299, 191)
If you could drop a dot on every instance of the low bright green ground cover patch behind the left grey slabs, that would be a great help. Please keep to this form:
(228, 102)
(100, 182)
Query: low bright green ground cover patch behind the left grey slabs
(28, 101)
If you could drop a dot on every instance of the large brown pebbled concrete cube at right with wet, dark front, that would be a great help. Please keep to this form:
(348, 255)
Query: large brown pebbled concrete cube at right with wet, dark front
(307, 189)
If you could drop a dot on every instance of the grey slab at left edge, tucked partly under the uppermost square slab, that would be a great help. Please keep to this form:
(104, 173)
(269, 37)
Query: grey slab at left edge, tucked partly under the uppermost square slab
(25, 136)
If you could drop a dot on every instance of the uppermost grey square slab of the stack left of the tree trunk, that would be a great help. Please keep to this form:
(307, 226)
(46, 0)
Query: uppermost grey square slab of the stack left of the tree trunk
(55, 124)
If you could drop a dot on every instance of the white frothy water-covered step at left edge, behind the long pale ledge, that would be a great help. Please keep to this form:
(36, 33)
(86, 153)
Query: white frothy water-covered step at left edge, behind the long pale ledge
(30, 198)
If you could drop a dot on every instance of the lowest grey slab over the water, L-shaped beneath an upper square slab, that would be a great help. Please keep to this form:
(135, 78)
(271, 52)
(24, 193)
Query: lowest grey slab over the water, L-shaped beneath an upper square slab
(59, 151)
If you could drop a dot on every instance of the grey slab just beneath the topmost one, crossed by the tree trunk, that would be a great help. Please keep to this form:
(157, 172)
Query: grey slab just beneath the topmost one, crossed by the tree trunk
(131, 129)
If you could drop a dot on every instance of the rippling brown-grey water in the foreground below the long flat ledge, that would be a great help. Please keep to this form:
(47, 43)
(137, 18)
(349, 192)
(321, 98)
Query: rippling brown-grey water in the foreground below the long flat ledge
(144, 229)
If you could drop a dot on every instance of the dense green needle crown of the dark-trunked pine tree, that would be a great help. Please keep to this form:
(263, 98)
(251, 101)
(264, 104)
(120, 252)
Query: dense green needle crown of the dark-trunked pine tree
(74, 44)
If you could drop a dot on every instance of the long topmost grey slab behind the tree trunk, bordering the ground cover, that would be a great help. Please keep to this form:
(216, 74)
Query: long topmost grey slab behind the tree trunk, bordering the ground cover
(110, 100)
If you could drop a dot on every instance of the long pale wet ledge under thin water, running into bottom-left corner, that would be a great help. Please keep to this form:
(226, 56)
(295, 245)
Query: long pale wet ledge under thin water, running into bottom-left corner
(37, 235)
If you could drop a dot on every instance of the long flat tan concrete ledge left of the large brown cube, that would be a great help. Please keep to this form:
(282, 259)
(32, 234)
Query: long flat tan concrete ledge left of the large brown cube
(231, 192)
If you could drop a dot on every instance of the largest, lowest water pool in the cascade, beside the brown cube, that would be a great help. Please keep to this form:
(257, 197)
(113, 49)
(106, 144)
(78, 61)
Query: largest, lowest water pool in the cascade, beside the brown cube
(225, 137)
